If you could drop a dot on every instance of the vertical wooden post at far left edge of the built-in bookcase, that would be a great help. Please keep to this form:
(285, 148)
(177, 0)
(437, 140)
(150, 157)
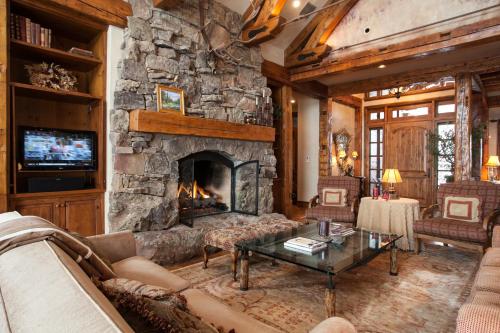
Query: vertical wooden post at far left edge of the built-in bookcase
(4, 178)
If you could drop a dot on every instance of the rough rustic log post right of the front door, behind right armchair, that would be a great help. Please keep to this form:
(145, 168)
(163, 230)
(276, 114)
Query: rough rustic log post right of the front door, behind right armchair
(463, 129)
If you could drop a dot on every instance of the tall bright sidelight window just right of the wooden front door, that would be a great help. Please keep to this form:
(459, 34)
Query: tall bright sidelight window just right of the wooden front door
(446, 149)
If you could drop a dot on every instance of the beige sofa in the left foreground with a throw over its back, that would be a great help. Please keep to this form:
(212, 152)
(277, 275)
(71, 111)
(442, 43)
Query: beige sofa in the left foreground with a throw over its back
(42, 289)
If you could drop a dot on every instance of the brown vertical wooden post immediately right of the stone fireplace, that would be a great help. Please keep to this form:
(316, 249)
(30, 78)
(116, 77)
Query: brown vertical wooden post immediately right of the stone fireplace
(286, 149)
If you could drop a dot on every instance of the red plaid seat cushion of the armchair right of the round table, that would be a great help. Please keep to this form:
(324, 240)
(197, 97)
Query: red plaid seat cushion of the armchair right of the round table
(452, 229)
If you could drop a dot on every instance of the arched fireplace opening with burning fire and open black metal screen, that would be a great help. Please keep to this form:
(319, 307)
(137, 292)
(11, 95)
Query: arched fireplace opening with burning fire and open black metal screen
(212, 182)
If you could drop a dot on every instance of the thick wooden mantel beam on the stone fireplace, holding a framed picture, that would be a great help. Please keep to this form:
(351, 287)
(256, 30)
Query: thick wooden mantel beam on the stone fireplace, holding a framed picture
(172, 123)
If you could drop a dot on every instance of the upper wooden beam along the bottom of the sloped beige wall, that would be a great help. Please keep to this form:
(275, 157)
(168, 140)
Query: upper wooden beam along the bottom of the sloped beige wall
(442, 42)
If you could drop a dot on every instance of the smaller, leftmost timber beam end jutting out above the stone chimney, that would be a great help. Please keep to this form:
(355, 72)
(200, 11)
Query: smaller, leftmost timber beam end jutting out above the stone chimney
(263, 22)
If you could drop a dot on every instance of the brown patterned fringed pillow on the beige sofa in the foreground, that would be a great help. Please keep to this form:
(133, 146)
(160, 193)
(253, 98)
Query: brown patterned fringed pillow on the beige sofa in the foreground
(152, 309)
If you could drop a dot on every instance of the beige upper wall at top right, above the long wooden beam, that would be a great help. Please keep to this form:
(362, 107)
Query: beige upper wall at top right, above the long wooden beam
(389, 17)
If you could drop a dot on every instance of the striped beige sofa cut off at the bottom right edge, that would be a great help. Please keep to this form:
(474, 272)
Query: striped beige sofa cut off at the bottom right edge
(481, 313)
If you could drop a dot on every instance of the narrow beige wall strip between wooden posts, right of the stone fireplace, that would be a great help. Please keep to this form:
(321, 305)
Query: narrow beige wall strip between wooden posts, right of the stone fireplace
(308, 147)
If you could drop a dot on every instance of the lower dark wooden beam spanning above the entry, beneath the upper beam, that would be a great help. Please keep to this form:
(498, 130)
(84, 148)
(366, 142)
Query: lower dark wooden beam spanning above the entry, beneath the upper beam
(482, 65)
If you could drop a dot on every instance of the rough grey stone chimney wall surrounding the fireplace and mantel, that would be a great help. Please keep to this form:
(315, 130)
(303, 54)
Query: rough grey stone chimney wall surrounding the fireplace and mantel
(163, 47)
